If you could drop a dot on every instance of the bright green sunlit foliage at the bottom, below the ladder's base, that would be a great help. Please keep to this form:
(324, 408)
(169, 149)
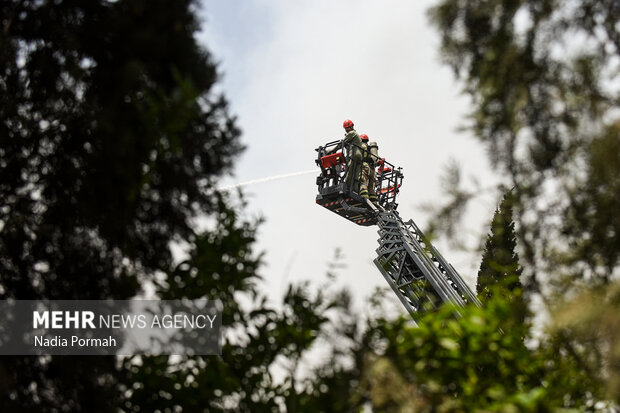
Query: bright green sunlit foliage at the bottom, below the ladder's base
(470, 365)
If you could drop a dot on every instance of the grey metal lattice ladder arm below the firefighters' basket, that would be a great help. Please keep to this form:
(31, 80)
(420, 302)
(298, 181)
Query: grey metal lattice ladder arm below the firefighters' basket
(417, 273)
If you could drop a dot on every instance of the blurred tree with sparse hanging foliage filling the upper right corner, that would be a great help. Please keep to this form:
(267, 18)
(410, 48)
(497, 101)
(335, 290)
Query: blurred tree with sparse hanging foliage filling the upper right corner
(539, 75)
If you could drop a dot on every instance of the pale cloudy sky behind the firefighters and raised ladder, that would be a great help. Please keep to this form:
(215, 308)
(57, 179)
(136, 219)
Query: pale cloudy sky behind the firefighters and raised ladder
(292, 72)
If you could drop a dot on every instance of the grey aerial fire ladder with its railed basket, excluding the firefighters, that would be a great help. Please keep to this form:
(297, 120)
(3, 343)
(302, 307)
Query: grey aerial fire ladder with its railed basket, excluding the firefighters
(416, 272)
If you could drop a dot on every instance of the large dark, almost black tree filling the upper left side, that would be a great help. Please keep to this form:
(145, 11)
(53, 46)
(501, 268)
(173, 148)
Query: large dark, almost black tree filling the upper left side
(111, 138)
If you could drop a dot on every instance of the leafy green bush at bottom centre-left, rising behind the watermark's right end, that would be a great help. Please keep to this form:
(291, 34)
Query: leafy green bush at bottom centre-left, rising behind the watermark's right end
(266, 363)
